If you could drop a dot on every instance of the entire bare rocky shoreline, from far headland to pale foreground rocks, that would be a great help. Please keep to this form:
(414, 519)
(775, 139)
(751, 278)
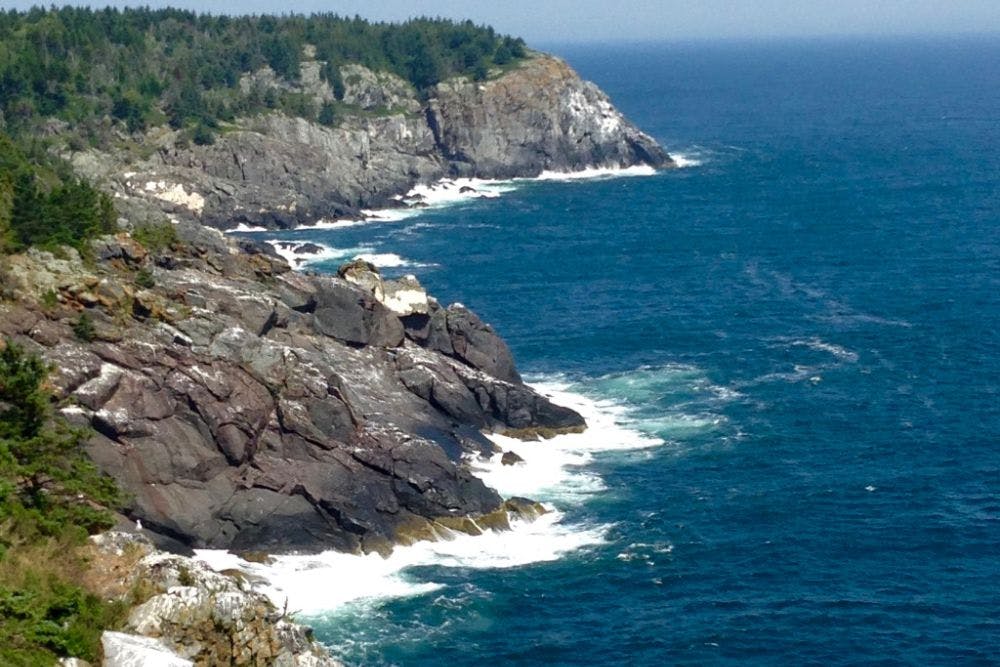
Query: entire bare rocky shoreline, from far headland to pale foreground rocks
(248, 407)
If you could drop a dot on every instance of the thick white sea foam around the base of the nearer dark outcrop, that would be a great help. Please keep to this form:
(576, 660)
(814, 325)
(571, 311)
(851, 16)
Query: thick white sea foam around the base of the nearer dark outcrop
(332, 582)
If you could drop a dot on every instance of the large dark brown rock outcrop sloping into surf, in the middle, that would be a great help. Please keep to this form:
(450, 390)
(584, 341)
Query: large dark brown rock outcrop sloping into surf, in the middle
(246, 406)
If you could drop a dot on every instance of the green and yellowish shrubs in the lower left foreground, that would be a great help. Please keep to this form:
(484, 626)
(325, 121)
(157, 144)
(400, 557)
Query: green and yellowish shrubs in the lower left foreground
(51, 498)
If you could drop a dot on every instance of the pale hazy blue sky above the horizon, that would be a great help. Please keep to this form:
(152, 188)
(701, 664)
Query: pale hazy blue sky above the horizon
(554, 21)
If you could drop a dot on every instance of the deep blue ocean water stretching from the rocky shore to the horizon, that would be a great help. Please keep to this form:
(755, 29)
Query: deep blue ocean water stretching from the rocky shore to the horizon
(808, 319)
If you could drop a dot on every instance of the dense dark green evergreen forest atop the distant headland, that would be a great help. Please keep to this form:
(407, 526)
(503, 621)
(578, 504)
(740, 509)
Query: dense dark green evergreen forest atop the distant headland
(142, 67)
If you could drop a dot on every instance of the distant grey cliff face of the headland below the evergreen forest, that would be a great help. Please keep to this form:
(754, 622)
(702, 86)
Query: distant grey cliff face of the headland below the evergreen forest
(277, 171)
